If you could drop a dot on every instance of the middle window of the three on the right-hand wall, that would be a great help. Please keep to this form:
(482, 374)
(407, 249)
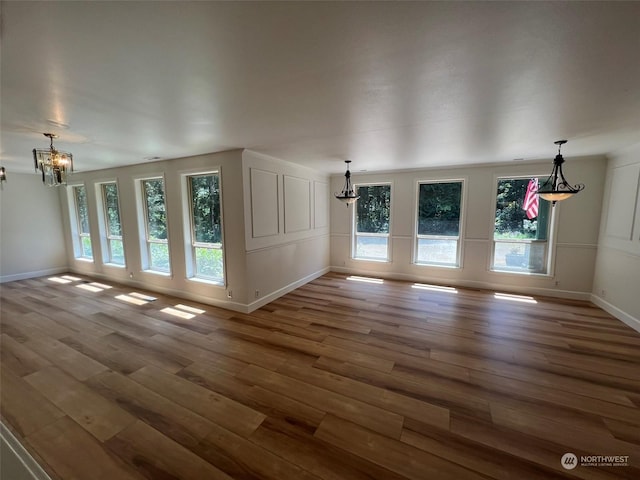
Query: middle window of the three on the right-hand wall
(438, 231)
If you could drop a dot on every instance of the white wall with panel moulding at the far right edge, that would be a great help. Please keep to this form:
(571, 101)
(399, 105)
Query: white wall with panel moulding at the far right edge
(616, 284)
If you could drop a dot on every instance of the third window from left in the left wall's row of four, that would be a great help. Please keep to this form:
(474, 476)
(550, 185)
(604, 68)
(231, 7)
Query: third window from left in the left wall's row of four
(155, 212)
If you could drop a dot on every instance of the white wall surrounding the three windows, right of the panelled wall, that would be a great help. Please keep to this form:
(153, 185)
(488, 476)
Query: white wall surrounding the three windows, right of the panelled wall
(575, 249)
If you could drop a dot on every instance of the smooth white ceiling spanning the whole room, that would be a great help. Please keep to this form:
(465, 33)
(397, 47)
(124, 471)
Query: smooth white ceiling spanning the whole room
(387, 84)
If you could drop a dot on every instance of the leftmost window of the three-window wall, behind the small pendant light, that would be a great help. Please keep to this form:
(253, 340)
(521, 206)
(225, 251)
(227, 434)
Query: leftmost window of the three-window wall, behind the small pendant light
(372, 215)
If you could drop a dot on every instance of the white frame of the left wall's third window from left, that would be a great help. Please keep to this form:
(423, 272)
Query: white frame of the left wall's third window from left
(146, 242)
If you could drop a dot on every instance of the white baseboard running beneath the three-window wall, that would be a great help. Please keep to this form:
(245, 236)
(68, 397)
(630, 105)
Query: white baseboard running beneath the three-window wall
(546, 292)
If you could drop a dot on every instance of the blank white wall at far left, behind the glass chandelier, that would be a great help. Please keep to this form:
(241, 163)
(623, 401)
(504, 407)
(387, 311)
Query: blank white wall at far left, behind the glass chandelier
(31, 231)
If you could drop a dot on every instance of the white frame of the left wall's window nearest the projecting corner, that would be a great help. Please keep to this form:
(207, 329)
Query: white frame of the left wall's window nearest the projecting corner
(191, 245)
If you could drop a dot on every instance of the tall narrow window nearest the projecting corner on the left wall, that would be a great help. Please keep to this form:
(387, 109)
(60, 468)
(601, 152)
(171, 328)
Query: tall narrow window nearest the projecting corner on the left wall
(206, 227)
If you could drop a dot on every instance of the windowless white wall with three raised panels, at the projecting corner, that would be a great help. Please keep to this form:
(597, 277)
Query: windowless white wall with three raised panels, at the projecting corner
(286, 225)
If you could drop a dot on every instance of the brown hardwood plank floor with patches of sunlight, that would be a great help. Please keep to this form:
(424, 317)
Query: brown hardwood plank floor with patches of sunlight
(339, 379)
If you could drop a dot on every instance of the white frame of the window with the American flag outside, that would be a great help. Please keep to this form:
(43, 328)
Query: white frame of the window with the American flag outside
(550, 242)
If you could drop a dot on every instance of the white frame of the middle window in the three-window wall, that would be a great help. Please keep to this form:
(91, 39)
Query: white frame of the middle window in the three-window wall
(461, 221)
